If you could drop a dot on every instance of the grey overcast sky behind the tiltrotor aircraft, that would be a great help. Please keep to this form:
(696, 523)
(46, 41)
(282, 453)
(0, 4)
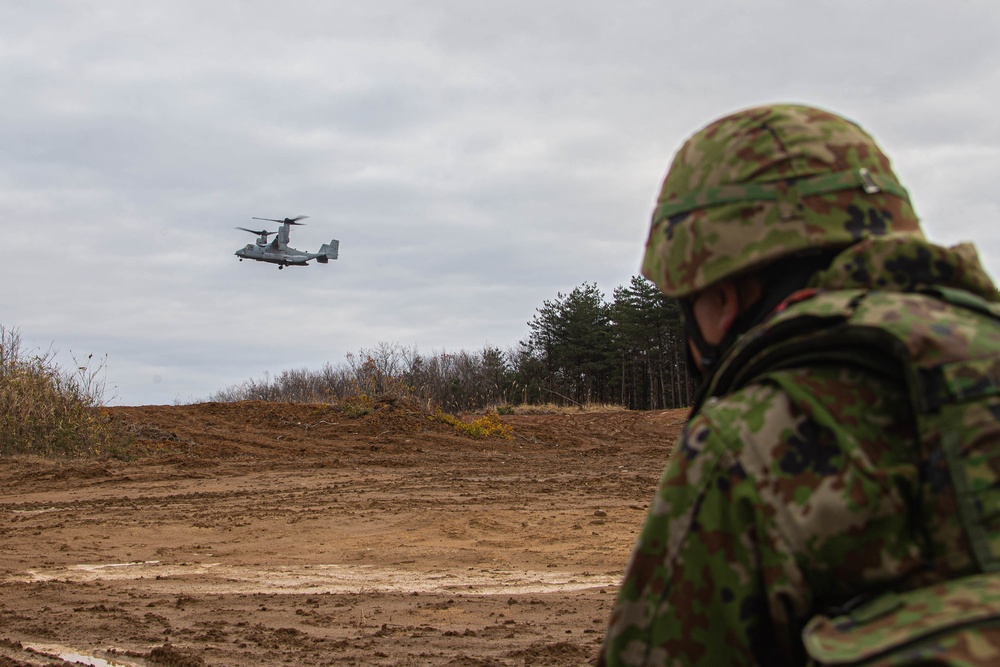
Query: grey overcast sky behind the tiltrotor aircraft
(474, 159)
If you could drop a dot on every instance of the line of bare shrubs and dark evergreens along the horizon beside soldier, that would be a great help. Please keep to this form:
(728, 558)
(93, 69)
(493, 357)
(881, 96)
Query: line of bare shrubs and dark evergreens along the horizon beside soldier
(581, 349)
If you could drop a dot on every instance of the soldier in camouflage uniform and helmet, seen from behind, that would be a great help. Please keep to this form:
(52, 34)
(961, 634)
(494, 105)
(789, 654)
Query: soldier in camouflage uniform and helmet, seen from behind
(835, 495)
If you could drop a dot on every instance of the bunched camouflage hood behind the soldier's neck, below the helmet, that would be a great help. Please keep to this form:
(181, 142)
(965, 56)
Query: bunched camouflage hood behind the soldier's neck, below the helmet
(906, 263)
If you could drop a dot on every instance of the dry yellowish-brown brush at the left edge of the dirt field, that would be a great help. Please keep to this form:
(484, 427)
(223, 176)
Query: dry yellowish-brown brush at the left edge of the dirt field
(48, 412)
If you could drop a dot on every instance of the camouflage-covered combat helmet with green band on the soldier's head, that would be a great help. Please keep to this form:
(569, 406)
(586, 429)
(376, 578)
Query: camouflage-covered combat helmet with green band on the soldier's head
(766, 183)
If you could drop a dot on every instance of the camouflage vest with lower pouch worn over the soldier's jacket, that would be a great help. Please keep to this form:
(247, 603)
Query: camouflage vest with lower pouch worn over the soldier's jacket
(943, 346)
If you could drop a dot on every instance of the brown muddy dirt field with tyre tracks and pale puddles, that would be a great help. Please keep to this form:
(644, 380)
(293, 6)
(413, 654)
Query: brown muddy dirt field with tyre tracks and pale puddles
(275, 534)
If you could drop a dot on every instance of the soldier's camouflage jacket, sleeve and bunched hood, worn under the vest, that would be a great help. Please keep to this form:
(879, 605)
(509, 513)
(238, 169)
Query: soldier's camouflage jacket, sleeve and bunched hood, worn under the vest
(793, 495)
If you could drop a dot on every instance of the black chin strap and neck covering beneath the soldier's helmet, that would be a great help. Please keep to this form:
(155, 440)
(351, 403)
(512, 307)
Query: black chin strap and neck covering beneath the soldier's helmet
(779, 281)
